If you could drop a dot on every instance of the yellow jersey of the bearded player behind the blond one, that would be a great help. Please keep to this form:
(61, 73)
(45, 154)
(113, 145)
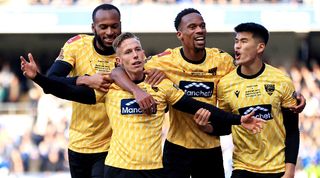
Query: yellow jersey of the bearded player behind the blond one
(89, 128)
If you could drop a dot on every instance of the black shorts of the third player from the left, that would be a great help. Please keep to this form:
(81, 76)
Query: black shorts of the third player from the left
(180, 162)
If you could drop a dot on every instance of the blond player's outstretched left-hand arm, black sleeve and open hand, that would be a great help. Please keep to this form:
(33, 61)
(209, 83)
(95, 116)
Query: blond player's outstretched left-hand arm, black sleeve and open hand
(81, 94)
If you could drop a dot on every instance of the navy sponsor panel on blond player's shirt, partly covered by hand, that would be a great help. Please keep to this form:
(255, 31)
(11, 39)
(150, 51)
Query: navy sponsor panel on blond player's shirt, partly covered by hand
(130, 106)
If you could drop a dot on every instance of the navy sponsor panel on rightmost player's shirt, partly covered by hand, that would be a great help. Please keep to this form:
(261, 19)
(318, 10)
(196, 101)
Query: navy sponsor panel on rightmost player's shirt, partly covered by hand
(262, 111)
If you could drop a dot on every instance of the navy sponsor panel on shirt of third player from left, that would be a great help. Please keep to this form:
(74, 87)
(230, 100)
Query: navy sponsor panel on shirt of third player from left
(197, 89)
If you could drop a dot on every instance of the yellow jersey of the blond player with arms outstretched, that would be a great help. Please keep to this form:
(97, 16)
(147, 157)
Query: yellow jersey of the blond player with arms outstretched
(136, 138)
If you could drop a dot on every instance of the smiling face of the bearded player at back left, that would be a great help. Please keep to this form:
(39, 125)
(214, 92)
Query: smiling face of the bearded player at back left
(106, 27)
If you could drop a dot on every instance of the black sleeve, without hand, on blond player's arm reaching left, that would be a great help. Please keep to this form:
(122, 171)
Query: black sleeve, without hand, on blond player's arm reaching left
(82, 94)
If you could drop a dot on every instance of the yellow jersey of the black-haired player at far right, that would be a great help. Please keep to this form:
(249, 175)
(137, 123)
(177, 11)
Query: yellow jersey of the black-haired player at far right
(264, 93)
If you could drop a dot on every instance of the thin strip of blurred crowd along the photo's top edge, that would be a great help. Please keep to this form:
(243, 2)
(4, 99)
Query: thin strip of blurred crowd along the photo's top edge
(135, 2)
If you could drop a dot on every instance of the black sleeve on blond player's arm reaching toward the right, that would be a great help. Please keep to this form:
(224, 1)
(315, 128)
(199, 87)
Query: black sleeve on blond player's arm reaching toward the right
(218, 116)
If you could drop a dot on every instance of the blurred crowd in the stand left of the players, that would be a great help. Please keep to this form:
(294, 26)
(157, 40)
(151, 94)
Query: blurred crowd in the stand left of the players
(37, 147)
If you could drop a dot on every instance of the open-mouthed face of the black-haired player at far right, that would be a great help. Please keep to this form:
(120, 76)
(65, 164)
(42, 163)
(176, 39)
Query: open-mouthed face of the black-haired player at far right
(248, 50)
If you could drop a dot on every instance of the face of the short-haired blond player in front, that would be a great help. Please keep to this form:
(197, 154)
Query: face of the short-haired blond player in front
(131, 56)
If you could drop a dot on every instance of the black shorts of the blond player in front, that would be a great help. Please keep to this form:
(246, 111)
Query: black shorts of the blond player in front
(114, 172)
